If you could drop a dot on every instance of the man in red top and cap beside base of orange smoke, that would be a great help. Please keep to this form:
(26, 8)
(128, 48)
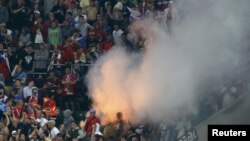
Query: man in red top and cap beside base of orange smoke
(90, 122)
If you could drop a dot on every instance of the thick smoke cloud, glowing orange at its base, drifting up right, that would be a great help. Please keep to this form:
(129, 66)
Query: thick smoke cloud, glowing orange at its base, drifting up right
(204, 46)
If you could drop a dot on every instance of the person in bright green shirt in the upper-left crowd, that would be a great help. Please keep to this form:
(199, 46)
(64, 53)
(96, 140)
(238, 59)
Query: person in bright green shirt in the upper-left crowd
(54, 35)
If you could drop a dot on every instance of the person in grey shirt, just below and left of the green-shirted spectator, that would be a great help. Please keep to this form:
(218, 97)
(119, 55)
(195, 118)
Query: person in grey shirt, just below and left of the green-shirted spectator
(41, 58)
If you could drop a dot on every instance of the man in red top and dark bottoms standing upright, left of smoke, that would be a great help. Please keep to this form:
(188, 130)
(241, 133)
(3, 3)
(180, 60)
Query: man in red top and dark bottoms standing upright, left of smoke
(68, 82)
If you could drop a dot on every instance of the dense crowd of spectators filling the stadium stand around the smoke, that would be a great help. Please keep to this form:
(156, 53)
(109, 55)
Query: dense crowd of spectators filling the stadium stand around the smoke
(46, 47)
